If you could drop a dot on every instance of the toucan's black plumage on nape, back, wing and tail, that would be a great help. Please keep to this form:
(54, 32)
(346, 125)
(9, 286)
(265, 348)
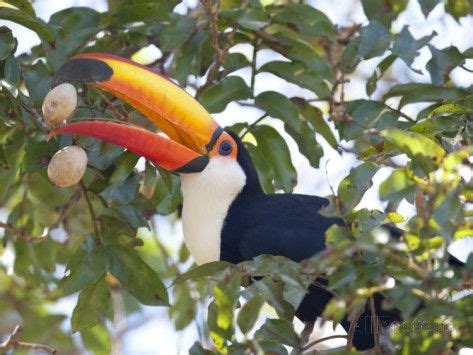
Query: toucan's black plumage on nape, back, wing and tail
(288, 225)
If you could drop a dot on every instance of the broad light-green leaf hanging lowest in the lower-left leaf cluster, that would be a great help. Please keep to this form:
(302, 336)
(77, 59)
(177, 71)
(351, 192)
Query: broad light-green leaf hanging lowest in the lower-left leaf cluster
(91, 306)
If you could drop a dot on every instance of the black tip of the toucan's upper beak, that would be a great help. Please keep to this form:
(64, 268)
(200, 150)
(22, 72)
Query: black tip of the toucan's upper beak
(84, 70)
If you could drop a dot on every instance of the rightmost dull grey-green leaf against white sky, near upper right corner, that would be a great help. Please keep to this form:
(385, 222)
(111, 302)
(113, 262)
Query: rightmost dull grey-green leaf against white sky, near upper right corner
(443, 62)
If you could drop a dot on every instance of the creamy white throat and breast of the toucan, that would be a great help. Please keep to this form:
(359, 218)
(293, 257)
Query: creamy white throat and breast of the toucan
(207, 198)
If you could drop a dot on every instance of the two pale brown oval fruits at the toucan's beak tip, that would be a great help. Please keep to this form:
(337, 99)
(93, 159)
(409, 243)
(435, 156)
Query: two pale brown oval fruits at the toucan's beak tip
(68, 165)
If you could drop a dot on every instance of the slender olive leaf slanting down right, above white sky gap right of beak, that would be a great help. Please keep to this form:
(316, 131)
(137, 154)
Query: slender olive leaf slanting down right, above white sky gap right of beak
(299, 74)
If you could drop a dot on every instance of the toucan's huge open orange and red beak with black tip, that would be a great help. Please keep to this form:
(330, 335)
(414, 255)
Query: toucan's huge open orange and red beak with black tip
(192, 131)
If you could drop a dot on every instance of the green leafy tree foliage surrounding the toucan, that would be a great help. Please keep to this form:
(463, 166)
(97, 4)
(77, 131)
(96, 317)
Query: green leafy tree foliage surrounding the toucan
(97, 231)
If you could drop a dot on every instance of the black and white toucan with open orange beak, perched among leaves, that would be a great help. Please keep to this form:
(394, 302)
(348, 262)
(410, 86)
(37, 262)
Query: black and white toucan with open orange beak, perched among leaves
(226, 214)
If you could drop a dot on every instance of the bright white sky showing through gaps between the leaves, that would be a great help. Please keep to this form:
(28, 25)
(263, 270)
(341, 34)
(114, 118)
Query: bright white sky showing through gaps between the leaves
(157, 335)
